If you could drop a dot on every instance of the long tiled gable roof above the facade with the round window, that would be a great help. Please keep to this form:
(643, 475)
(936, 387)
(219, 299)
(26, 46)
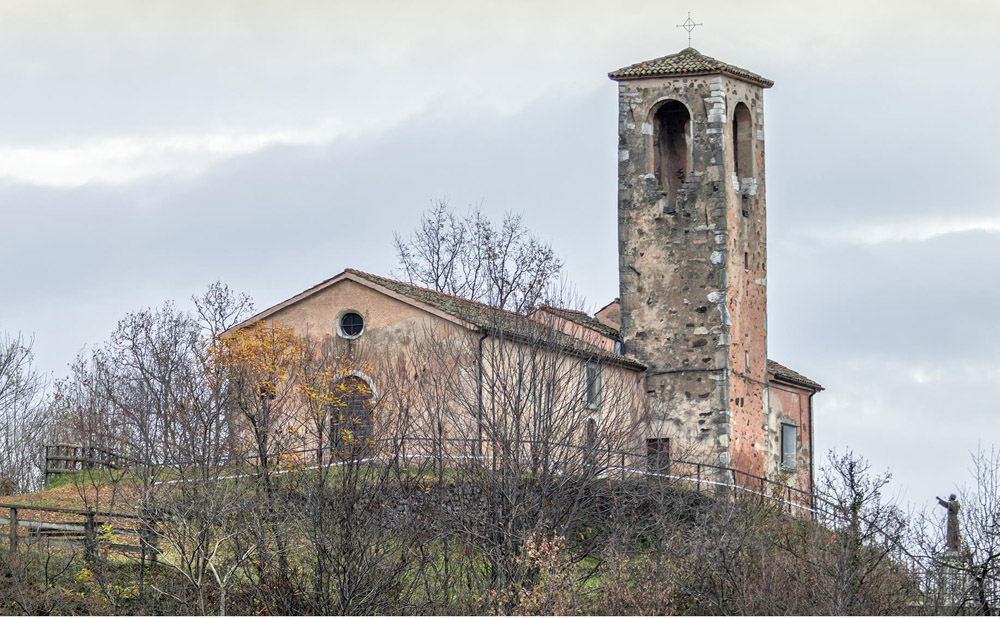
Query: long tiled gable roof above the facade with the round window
(467, 312)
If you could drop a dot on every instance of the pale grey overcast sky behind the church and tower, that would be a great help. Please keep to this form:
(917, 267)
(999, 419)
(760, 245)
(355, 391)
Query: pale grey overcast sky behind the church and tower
(149, 148)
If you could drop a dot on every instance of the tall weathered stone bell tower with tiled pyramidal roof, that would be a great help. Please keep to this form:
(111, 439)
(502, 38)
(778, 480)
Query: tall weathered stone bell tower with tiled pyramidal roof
(693, 254)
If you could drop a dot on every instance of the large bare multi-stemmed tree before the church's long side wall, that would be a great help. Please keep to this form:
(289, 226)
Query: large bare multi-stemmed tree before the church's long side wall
(528, 423)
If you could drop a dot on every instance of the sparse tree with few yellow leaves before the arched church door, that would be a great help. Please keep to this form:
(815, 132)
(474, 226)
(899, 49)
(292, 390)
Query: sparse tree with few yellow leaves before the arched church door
(351, 506)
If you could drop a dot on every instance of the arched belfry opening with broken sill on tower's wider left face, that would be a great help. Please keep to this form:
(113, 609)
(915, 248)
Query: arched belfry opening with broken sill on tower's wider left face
(671, 148)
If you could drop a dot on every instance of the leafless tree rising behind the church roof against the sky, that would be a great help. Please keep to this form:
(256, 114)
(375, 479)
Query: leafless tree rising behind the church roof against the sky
(503, 265)
